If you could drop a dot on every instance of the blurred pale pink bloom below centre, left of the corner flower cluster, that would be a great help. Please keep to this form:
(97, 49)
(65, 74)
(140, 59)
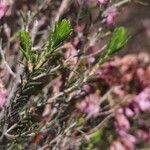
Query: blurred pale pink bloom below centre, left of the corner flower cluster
(90, 105)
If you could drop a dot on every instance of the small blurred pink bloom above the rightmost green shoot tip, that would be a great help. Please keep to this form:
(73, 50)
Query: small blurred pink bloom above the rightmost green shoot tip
(112, 14)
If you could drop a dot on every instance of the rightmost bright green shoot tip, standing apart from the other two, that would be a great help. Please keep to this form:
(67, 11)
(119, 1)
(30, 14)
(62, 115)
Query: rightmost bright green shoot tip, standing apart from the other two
(118, 40)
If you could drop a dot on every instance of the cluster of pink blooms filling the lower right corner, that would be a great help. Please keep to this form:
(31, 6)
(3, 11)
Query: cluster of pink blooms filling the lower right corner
(140, 104)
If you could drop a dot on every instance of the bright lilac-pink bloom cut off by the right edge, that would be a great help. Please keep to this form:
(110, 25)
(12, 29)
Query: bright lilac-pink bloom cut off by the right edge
(143, 100)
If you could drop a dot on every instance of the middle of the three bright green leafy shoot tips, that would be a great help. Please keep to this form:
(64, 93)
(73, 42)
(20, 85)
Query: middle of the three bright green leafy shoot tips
(61, 32)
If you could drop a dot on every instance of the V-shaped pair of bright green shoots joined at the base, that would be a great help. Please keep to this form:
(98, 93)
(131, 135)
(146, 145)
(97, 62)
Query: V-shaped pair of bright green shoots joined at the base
(61, 32)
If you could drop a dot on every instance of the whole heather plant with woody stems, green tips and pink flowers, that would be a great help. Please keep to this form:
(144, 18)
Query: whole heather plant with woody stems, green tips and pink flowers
(67, 90)
